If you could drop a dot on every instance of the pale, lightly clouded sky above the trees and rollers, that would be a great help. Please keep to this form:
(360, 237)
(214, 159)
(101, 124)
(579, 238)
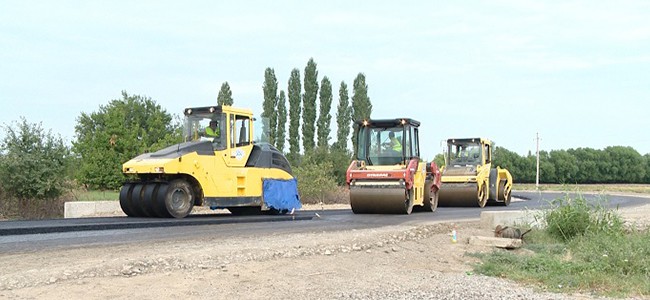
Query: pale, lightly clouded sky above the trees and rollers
(577, 72)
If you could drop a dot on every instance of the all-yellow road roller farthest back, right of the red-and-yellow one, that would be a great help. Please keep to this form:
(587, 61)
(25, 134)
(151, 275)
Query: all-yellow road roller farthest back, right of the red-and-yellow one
(468, 178)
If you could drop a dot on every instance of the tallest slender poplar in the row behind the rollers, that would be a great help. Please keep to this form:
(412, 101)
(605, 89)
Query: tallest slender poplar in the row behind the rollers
(309, 106)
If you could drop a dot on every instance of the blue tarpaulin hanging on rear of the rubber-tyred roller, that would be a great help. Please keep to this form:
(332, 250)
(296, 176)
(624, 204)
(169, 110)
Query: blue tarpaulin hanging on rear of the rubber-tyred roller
(281, 194)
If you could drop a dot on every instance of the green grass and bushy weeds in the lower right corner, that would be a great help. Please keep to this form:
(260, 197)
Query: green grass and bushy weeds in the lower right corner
(584, 248)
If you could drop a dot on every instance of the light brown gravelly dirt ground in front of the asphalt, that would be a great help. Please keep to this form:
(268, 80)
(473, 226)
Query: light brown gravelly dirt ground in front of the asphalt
(395, 262)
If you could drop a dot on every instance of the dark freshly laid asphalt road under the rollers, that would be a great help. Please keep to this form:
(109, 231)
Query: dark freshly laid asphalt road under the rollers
(32, 236)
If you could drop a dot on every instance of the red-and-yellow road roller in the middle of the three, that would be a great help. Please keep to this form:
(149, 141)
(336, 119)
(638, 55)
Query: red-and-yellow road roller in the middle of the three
(388, 176)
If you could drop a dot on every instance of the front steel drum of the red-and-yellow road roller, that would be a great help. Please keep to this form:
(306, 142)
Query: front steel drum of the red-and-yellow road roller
(373, 199)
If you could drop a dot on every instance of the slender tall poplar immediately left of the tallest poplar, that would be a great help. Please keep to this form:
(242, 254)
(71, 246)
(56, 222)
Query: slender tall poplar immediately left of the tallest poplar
(293, 91)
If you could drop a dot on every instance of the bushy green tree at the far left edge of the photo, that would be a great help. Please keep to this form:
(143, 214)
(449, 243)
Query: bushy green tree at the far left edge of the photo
(33, 163)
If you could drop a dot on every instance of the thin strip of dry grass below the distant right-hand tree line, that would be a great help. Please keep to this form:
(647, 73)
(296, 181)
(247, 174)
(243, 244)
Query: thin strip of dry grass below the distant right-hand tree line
(617, 188)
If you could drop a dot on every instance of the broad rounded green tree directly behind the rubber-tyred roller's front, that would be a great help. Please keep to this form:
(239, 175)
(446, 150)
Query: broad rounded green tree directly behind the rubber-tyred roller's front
(117, 132)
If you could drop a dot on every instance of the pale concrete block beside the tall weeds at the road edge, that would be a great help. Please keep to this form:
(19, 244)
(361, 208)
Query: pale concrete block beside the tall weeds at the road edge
(490, 219)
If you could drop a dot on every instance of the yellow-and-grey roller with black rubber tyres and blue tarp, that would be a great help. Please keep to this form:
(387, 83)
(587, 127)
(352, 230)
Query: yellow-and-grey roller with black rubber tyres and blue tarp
(221, 164)
